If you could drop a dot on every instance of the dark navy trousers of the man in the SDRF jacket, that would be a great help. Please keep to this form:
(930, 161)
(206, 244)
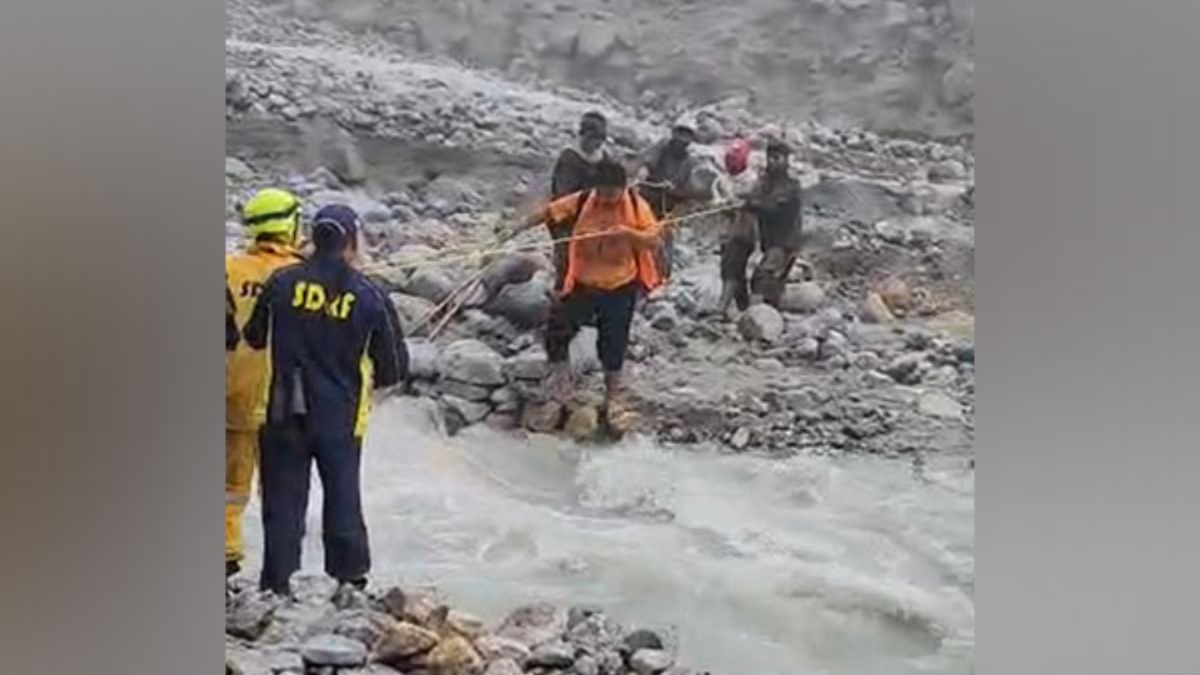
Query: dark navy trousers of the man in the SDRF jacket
(289, 452)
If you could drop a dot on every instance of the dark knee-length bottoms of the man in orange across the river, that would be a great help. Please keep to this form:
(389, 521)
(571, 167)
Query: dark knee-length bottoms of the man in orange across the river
(614, 314)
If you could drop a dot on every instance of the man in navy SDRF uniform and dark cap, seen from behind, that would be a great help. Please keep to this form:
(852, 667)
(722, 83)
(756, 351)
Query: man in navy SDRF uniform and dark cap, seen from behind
(334, 337)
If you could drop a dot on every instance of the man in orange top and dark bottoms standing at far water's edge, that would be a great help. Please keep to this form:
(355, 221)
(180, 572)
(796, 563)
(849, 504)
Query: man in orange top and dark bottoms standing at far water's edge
(610, 264)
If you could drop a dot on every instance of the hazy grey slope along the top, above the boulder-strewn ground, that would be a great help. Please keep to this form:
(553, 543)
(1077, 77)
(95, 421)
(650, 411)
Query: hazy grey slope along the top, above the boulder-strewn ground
(889, 65)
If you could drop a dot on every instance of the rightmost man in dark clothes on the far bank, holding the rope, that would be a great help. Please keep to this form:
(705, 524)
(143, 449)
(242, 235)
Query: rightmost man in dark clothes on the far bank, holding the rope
(776, 201)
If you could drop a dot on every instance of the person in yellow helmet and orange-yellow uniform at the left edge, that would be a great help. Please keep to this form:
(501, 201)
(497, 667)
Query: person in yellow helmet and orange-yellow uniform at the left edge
(273, 219)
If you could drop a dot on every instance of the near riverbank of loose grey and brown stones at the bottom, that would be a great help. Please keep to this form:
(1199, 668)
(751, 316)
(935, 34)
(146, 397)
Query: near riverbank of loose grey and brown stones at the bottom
(323, 630)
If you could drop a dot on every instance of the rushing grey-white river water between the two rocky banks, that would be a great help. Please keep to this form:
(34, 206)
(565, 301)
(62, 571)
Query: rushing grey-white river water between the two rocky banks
(772, 568)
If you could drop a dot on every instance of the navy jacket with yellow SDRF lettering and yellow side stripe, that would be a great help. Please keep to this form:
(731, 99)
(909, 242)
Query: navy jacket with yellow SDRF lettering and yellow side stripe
(333, 337)
